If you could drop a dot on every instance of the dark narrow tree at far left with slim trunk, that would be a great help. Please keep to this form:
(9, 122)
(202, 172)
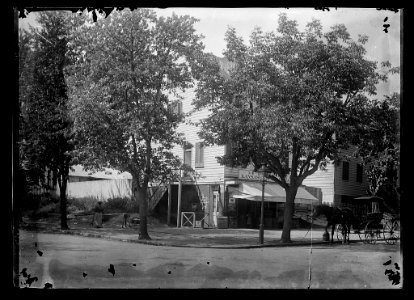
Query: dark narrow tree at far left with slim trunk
(46, 127)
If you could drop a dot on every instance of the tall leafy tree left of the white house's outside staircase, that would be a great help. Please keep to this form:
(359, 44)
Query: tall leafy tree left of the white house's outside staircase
(126, 68)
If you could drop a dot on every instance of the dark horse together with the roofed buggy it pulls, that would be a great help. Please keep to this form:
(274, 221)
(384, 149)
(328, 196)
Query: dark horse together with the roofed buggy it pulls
(367, 216)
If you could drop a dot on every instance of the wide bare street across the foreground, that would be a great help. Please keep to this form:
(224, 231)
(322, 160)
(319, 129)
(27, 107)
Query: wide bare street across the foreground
(66, 261)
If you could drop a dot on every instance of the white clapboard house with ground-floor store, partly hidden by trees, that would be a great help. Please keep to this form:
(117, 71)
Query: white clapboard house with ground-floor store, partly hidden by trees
(217, 191)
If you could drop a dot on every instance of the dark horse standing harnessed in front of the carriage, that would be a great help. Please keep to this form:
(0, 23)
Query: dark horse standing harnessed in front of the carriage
(334, 216)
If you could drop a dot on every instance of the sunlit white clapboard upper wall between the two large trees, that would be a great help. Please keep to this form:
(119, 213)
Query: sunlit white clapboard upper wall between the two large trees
(212, 172)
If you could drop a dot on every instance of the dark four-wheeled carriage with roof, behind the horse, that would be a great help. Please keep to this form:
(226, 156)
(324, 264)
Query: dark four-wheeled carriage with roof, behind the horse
(373, 221)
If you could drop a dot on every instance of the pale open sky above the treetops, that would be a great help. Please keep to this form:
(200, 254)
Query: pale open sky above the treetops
(213, 23)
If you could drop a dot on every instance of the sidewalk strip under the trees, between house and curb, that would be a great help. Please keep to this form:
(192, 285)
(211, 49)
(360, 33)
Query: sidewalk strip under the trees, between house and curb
(163, 235)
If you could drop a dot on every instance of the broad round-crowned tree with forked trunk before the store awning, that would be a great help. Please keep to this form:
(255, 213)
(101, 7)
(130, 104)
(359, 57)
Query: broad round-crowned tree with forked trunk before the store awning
(292, 100)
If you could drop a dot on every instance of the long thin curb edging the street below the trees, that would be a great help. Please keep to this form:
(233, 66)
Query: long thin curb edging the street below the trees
(156, 243)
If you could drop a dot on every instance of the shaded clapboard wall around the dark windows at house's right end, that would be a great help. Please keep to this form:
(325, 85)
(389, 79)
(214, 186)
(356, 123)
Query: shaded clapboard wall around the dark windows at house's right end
(350, 187)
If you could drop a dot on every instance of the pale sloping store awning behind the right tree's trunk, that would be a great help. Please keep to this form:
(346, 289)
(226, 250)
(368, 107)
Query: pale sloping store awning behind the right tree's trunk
(273, 193)
